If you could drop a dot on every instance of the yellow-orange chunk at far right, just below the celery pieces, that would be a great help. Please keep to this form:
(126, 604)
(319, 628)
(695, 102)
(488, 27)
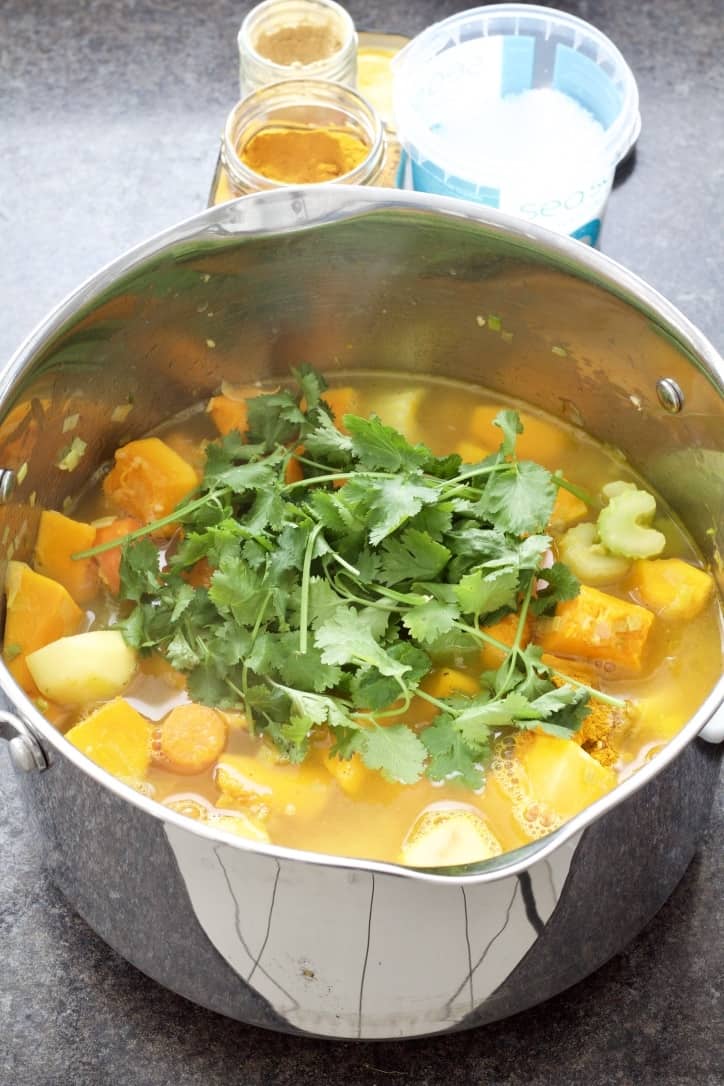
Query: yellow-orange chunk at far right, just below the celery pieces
(671, 588)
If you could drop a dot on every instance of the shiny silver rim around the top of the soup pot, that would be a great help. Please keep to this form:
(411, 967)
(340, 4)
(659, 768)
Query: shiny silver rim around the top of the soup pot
(303, 208)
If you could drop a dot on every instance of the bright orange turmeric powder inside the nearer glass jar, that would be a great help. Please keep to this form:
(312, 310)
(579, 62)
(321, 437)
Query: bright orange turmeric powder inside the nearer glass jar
(304, 156)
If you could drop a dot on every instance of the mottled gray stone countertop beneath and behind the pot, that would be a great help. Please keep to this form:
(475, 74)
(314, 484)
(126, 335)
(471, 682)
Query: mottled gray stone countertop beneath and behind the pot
(110, 116)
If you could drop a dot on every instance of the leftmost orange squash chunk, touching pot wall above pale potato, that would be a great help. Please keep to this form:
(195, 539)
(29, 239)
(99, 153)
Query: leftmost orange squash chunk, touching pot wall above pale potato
(40, 611)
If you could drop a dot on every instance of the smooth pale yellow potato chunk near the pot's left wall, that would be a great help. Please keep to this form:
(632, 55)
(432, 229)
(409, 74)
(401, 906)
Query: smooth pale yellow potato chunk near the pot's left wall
(88, 667)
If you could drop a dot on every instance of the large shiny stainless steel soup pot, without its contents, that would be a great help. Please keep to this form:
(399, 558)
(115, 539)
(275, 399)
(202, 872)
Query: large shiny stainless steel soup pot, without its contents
(350, 280)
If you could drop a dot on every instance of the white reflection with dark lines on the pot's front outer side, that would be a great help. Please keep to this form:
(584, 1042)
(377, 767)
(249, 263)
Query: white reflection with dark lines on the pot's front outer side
(382, 950)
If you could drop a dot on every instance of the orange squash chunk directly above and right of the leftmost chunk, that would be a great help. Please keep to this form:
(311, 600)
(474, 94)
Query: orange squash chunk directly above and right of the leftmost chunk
(59, 538)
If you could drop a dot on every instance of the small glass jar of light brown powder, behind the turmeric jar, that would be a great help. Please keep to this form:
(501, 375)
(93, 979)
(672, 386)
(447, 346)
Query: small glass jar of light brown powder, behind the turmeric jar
(297, 40)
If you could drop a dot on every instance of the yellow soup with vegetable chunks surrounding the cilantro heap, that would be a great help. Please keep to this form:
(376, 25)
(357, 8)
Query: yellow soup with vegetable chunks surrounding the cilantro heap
(223, 766)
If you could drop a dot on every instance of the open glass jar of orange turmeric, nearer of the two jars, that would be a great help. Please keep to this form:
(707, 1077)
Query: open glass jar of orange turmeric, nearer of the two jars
(300, 132)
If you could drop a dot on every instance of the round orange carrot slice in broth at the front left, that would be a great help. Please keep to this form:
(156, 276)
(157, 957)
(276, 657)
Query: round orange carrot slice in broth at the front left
(190, 739)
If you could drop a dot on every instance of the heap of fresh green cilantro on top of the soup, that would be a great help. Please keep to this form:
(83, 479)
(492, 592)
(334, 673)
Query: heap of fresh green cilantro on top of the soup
(331, 598)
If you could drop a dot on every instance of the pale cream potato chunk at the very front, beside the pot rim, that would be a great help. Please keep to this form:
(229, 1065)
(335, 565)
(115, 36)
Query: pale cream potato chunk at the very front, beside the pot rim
(444, 837)
